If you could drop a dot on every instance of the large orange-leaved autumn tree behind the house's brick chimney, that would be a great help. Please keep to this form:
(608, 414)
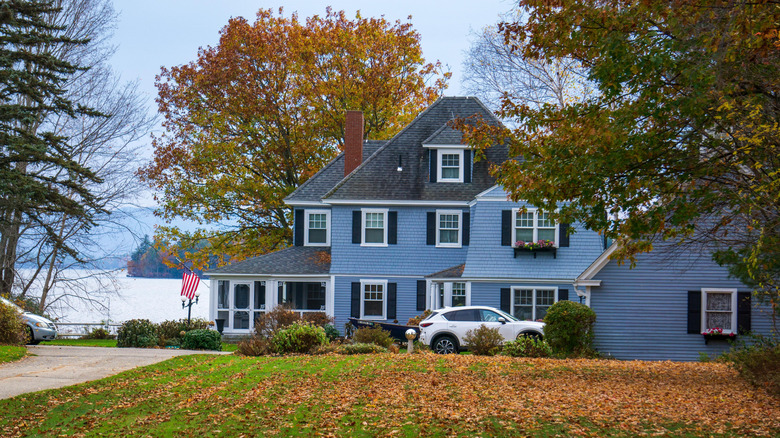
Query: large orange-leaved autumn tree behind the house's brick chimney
(257, 115)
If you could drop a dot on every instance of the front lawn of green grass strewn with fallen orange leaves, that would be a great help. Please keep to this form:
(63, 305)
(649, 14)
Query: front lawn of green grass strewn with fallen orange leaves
(400, 395)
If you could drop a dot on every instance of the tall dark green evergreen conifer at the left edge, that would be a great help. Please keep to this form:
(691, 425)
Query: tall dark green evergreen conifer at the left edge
(38, 173)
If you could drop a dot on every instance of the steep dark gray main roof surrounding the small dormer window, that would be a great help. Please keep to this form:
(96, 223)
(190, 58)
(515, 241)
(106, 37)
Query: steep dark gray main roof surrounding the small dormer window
(377, 178)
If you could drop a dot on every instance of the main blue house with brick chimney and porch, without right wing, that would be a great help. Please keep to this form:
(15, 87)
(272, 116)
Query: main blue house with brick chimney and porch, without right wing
(391, 228)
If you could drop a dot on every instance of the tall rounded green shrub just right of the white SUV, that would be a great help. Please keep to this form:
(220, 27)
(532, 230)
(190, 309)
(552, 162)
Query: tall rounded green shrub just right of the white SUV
(569, 329)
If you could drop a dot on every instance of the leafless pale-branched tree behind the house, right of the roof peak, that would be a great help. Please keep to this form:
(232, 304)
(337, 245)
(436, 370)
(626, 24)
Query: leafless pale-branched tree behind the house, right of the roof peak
(495, 68)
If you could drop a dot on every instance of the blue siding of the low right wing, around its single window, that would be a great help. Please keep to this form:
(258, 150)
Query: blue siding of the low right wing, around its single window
(642, 313)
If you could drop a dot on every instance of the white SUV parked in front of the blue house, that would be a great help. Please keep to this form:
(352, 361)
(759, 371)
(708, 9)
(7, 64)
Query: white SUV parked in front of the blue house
(444, 329)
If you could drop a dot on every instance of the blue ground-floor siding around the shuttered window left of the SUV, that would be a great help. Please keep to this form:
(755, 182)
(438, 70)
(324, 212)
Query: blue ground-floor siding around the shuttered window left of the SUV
(406, 291)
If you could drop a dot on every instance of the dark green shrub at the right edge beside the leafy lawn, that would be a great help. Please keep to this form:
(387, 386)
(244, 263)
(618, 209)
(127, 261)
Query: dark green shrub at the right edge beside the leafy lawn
(757, 361)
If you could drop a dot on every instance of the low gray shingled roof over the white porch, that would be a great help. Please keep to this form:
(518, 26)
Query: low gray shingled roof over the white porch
(296, 260)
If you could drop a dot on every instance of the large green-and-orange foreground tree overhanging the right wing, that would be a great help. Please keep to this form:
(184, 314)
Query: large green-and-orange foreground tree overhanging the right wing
(680, 142)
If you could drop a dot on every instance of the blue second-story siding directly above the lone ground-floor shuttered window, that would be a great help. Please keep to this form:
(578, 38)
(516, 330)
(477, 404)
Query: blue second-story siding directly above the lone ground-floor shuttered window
(410, 256)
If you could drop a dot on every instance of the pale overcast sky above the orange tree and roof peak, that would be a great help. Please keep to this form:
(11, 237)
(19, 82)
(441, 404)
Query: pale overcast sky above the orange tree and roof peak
(151, 34)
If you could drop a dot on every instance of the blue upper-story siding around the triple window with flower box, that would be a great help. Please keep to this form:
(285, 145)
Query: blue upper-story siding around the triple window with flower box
(487, 258)
